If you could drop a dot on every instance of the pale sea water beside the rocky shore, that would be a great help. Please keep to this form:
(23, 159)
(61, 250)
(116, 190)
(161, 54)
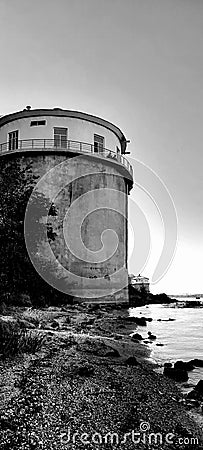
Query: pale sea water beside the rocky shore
(182, 337)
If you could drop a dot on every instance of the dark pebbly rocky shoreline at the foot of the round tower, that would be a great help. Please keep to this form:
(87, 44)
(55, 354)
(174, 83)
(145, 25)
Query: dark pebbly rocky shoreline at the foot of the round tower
(89, 386)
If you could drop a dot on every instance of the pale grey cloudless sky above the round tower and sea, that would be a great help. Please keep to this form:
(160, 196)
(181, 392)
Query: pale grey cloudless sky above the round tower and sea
(138, 64)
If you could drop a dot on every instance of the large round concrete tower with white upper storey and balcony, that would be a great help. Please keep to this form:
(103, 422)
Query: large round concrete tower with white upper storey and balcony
(91, 154)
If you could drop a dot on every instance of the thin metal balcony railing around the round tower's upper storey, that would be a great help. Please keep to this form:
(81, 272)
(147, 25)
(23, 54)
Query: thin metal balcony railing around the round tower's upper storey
(74, 146)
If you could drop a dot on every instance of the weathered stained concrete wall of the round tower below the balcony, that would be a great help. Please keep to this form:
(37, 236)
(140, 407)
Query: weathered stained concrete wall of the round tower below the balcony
(79, 196)
